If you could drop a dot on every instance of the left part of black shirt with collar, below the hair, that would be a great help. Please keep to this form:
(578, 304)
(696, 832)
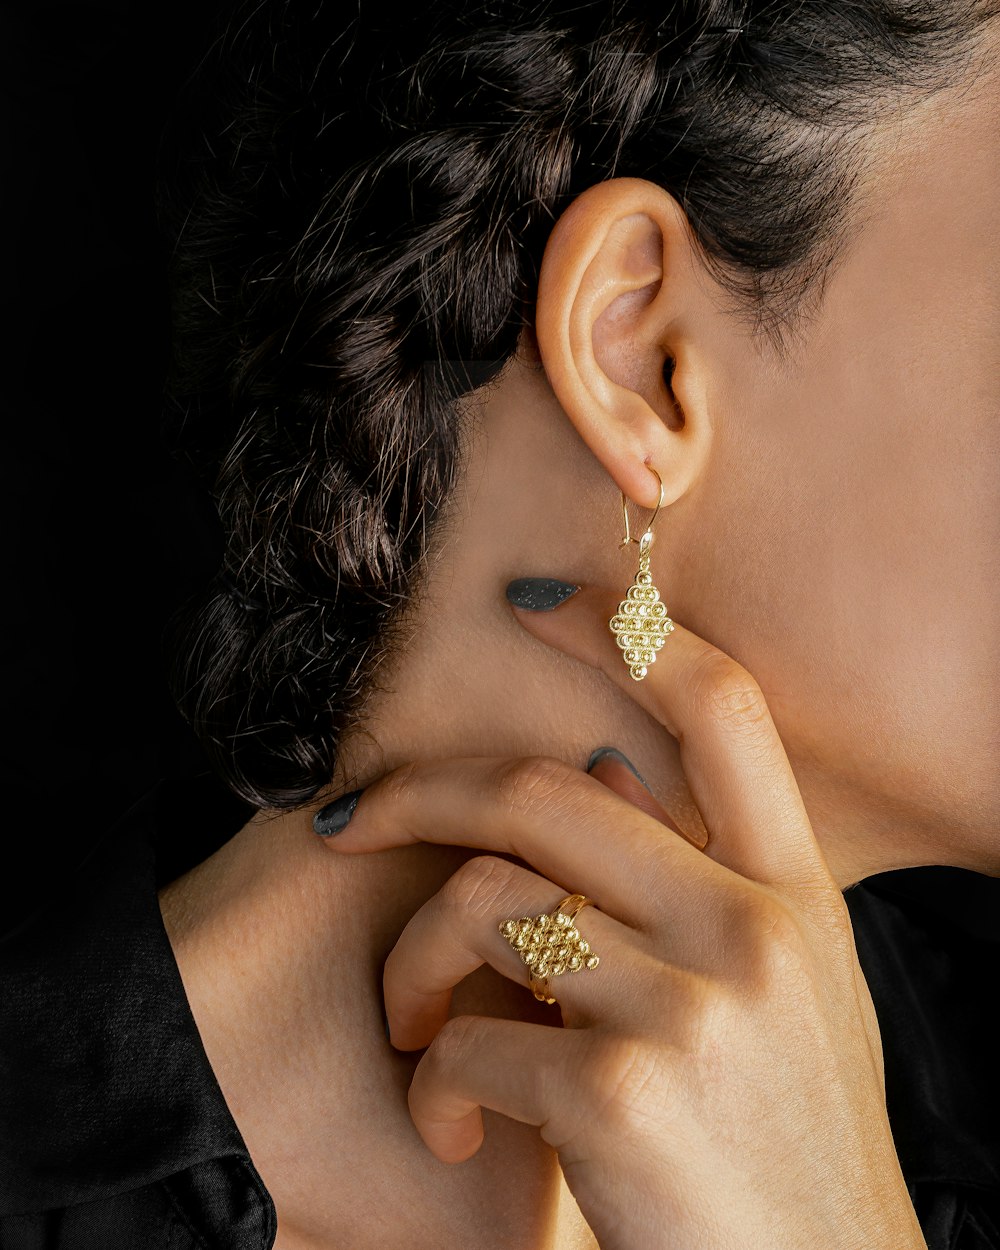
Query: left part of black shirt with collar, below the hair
(111, 1111)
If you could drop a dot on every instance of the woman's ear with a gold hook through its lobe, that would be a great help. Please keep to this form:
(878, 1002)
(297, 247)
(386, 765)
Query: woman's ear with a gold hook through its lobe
(618, 318)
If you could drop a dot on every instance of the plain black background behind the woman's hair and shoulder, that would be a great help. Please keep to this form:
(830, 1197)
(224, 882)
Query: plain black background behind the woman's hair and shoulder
(104, 534)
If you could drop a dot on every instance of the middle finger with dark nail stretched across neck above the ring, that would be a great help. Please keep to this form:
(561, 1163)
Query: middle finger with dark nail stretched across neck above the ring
(569, 827)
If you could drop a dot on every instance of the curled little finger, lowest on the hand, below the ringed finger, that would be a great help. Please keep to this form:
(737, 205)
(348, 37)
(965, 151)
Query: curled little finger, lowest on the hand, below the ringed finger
(521, 1071)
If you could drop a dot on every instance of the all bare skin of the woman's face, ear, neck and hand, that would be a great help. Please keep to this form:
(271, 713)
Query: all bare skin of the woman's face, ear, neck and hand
(828, 546)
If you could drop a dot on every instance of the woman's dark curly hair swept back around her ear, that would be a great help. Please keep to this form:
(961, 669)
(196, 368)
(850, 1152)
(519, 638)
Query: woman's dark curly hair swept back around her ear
(357, 201)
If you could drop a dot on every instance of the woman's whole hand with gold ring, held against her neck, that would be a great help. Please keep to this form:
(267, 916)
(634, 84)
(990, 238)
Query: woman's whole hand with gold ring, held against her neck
(718, 1082)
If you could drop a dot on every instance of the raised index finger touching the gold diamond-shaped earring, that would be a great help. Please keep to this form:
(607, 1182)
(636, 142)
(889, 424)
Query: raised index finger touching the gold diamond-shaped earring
(736, 763)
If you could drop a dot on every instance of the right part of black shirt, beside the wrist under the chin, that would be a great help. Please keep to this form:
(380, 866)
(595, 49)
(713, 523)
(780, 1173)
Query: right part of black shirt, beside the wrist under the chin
(932, 973)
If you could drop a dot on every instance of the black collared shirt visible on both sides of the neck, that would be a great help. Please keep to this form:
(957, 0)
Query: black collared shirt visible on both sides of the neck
(114, 1134)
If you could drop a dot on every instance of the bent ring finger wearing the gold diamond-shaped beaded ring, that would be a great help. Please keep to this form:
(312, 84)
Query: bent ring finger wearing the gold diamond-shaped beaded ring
(458, 931)
